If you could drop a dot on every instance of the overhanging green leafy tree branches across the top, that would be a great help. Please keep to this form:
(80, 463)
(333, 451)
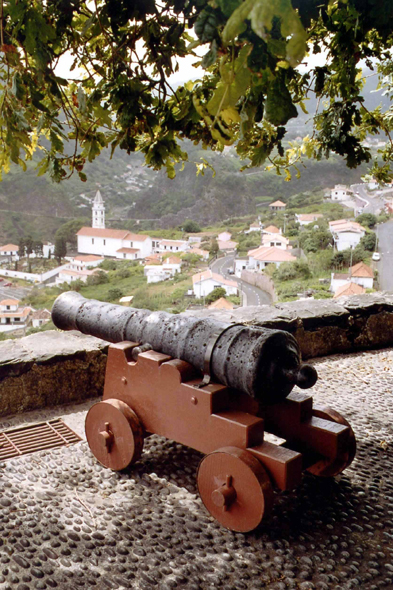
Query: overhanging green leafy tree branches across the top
(123, 53)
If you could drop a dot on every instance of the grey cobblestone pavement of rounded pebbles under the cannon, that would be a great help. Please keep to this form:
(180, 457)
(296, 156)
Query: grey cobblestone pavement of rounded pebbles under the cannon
(66, 522)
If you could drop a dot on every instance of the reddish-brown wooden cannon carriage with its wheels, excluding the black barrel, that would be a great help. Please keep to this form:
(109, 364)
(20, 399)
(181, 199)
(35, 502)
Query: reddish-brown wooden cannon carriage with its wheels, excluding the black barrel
(151, 392)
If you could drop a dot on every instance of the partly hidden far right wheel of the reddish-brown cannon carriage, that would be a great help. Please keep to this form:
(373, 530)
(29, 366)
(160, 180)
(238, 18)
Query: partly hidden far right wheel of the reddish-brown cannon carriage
(332, 467)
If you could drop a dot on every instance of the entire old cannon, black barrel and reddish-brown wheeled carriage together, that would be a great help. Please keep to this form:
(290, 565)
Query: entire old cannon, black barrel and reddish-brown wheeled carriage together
(223, 389)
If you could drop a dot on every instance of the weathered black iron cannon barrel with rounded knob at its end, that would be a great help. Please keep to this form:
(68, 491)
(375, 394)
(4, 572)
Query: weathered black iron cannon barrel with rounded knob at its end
(261, 362)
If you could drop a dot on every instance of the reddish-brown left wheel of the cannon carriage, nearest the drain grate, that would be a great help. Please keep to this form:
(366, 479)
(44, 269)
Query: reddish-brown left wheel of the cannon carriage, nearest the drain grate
(114, 434)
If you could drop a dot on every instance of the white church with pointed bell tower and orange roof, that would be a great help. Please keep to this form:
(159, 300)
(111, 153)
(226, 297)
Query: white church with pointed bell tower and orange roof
(116, 243)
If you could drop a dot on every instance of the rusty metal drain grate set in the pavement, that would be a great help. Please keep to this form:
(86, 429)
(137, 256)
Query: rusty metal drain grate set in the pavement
(35, 437)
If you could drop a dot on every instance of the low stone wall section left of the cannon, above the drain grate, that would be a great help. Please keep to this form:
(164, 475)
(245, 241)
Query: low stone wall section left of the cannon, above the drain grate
(50, 368)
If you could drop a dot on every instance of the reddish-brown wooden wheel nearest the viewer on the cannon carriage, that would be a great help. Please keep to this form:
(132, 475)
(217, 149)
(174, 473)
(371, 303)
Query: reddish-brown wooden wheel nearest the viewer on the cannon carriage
(235, 488)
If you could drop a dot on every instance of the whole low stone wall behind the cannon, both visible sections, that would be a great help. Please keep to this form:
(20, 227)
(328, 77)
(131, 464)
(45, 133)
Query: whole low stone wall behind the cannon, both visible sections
(50, 368)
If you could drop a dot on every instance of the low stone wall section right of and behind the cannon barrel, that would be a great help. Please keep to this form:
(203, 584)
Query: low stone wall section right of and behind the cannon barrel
(323, 327)
